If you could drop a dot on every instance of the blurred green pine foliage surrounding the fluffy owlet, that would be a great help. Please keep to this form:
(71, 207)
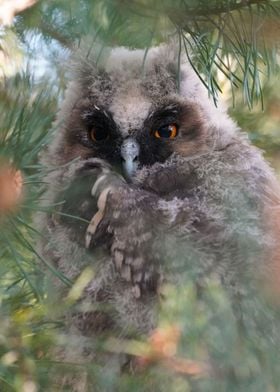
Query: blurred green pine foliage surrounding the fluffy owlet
(234, 46)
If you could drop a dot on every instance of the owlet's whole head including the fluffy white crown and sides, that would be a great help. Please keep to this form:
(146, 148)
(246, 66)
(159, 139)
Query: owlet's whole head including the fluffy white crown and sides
(134, 109)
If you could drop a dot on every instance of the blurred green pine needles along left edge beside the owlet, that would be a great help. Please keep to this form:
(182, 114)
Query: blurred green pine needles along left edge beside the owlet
(26, 114)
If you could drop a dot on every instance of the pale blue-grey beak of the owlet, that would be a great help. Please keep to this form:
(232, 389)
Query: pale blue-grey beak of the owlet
(130, 156)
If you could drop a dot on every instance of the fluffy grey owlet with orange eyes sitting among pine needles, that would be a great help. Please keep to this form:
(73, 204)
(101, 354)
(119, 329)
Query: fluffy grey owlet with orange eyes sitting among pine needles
(151, 182)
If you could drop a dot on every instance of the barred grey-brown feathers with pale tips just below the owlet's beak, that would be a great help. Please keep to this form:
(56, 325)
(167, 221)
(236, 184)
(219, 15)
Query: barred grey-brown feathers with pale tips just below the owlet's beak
(130, 226)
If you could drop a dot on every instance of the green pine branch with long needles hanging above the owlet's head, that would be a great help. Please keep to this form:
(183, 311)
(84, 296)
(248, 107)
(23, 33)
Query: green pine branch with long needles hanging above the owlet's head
(235, 38)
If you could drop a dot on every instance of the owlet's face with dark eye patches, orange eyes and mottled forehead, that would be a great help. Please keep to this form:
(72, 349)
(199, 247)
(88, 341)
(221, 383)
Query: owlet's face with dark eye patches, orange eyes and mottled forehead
(131, 119)
